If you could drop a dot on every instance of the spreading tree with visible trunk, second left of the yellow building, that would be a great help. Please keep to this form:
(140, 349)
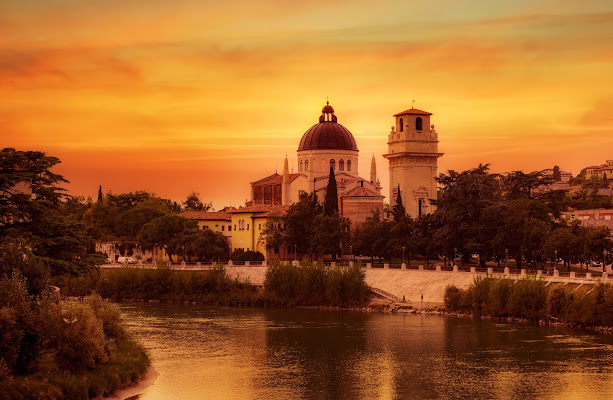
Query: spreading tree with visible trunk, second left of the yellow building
(162, 232)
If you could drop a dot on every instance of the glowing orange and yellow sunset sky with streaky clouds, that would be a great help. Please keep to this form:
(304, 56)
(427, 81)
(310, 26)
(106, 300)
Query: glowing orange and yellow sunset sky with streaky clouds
(181, 96)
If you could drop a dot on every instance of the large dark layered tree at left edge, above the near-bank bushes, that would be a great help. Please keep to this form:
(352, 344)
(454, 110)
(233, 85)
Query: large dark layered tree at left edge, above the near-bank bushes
(32, 206)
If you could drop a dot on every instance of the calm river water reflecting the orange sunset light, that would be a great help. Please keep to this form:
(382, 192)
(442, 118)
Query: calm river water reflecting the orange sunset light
(205, 352)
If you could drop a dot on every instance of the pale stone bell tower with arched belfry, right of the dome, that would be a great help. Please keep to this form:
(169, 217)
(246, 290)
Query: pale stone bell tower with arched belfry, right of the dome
(413, 156)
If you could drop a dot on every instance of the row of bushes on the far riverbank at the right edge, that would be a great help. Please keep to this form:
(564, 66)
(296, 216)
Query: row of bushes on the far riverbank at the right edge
(531, 300)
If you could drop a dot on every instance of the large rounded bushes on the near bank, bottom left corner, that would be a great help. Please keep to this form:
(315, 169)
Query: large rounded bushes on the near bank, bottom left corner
(74, 351)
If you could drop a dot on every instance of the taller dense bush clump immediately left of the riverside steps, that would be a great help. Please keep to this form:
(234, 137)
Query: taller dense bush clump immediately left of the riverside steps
(312, 283)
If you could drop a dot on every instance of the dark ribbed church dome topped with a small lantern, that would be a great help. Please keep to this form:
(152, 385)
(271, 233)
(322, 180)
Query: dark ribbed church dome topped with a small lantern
(327, 134)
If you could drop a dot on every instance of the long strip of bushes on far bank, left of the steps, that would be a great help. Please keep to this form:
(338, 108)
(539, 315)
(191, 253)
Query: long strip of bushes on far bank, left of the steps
(286, 285)
